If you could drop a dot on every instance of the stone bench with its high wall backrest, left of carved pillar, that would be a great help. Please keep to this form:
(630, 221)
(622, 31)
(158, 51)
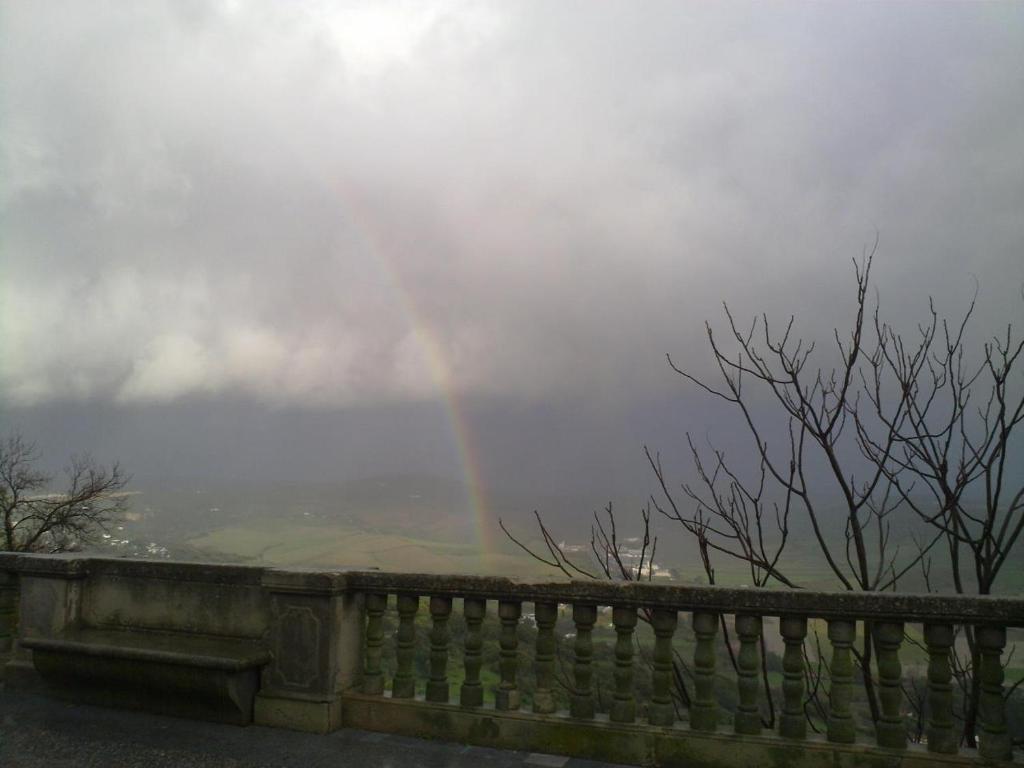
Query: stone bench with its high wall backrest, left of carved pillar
(182, 639)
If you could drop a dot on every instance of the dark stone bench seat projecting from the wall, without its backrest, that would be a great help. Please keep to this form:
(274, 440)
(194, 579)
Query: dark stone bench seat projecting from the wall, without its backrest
(212, 678)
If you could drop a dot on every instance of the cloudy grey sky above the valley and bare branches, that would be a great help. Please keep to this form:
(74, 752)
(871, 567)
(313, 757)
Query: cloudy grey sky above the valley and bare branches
(311, 240)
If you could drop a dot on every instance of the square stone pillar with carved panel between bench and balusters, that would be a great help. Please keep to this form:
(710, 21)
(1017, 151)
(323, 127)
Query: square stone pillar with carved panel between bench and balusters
(316, 639)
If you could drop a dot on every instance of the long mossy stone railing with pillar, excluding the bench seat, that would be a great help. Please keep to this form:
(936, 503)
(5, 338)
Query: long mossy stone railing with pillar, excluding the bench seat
(346, 649)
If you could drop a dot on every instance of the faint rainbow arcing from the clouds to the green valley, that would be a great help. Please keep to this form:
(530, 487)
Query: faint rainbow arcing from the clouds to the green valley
(439, 364)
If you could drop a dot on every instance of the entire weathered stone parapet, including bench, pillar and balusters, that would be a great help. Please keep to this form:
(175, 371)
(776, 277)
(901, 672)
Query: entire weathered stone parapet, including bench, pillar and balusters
(195, 635)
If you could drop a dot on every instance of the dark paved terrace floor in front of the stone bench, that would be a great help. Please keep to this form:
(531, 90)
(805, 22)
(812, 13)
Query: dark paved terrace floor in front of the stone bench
(40, 733)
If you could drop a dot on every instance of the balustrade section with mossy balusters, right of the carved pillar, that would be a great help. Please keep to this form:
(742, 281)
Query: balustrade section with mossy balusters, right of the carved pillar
(745, 610)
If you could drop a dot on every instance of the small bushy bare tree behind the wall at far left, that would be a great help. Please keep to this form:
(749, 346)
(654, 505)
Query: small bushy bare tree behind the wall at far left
(38, 519)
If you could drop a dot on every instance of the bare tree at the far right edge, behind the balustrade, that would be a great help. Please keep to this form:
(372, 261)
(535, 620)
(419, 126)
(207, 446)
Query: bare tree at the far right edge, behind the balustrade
(955, 462)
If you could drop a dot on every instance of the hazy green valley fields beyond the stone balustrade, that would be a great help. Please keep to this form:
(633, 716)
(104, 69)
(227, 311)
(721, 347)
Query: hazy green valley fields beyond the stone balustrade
(412, 524)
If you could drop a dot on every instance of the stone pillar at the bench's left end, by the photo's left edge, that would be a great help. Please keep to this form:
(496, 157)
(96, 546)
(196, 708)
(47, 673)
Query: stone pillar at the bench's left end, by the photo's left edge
(50, 604)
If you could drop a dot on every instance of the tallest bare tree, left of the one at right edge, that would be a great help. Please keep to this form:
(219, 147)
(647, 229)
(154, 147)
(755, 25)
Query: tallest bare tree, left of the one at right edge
(819, 405)
